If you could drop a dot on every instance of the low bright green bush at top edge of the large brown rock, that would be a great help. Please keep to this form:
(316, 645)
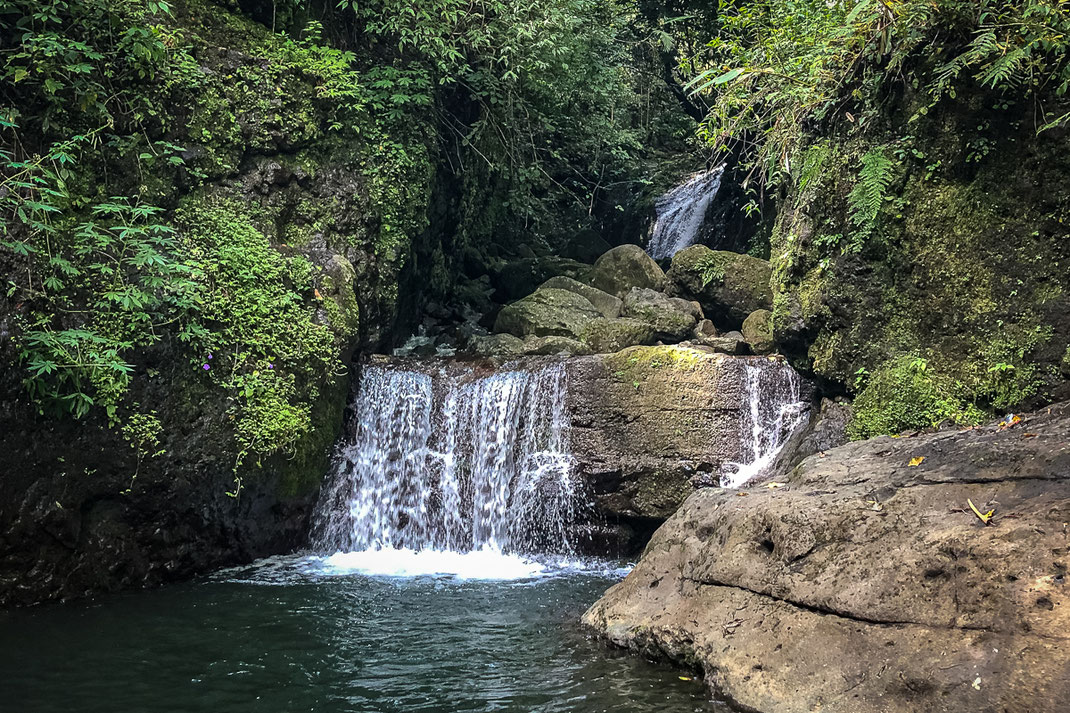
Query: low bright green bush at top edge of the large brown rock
(906, 395)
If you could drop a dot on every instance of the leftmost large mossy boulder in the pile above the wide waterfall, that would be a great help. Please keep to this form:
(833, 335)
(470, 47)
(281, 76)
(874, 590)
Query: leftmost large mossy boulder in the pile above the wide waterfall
(547, 313)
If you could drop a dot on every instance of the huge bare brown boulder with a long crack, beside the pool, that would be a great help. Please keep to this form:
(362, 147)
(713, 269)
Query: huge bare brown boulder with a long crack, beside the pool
(867, 585)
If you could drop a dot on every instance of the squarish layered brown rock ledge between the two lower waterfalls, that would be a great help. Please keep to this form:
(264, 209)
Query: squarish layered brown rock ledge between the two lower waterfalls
(647, 420)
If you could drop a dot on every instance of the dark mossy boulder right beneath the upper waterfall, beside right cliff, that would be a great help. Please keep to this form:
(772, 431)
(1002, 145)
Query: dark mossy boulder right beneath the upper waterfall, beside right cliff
(730, 286)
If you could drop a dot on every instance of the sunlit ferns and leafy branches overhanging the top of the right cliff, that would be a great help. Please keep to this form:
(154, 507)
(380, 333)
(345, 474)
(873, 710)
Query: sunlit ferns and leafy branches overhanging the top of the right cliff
(776, 68)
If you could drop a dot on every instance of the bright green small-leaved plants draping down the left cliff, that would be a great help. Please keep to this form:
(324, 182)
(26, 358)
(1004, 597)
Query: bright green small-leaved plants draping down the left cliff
(246, 292)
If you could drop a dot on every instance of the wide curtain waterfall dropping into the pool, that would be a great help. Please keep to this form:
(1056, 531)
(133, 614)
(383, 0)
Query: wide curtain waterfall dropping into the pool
(453, 462)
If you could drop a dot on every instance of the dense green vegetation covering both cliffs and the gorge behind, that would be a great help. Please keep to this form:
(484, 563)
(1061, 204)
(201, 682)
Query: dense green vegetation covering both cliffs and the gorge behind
(178, 179)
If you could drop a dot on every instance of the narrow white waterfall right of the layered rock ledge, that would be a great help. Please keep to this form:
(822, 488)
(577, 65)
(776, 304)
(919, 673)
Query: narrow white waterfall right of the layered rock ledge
(775, 408)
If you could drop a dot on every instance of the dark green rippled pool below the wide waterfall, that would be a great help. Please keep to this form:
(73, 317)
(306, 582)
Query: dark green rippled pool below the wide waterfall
(285, 638)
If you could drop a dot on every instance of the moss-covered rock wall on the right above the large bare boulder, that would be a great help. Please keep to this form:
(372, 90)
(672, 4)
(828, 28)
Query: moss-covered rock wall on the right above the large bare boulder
(967, 267)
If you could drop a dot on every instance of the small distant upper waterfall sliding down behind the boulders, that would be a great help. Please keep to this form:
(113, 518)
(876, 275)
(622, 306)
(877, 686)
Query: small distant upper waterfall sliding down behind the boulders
(682, 213)
